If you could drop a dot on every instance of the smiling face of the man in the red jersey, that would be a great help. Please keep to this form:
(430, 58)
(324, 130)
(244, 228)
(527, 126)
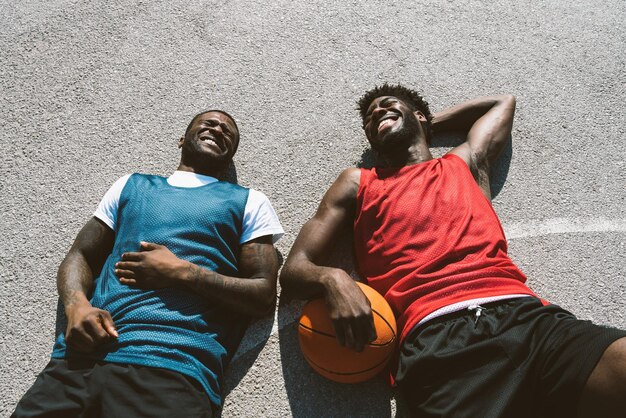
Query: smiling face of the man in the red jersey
(390, 123)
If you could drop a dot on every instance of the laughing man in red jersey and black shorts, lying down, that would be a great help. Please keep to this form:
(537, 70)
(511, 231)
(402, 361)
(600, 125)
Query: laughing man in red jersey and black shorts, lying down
(475, 340)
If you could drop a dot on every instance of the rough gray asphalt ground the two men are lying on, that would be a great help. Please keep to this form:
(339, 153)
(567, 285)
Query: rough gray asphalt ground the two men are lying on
(91, 91)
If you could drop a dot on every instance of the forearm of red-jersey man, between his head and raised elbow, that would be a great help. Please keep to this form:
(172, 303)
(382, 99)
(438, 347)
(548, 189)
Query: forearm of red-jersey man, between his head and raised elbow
(461, 117)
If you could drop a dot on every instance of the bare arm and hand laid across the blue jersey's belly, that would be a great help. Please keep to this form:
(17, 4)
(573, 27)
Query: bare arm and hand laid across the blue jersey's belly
(254, 293)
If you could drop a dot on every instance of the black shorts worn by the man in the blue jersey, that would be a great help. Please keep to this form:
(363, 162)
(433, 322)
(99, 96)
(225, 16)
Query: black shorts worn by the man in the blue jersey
(89, 389)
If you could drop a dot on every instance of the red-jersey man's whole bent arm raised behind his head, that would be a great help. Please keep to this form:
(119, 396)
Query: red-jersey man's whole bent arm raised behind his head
(488, 122)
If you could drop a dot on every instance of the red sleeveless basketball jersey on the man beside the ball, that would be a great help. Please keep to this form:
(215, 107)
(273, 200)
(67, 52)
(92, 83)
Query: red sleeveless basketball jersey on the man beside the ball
(426, 237)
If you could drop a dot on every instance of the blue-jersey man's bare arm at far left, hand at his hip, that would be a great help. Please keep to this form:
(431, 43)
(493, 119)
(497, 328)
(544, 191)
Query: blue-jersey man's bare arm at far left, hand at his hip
(87, 327)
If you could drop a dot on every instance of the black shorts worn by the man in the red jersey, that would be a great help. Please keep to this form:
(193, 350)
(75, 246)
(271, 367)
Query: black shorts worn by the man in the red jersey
(518, 358)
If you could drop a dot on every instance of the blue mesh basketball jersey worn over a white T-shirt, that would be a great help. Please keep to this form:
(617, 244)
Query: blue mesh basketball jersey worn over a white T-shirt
(173, 328)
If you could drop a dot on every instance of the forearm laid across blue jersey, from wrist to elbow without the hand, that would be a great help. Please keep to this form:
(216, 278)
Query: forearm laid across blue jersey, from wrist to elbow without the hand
(254, 296)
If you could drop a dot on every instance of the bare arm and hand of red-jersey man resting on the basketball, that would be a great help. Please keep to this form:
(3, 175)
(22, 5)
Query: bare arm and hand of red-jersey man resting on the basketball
(305, 276)
